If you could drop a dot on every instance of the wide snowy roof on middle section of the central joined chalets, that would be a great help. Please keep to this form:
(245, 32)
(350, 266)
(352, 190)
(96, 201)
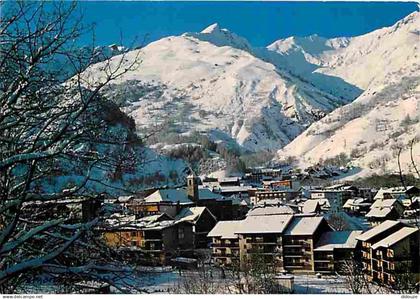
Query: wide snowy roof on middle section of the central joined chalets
(265, 224)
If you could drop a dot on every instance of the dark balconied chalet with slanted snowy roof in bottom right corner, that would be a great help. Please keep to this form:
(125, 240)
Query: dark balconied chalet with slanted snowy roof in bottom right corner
(396, 256)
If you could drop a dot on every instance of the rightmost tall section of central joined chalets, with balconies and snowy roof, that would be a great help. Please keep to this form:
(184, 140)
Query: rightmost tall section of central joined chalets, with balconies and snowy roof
(299, 239)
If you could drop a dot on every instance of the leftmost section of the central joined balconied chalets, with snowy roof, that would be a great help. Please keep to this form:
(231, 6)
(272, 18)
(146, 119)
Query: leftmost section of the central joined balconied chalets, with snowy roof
(225, 243)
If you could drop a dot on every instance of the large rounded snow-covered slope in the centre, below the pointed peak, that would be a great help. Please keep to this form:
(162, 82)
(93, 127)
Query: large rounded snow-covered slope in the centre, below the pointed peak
(215, 82)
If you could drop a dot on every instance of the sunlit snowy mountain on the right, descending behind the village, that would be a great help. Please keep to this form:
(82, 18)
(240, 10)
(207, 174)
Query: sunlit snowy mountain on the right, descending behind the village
(386, 116)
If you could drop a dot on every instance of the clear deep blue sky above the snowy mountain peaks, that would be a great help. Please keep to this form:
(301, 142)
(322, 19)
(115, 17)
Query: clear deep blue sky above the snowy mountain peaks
(260, 22)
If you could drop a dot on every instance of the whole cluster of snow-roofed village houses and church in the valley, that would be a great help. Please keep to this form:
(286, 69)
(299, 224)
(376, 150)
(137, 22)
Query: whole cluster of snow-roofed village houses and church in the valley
(274, 217)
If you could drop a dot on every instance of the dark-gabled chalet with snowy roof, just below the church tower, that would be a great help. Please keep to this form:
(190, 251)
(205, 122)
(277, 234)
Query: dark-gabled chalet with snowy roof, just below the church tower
(203, 222)
